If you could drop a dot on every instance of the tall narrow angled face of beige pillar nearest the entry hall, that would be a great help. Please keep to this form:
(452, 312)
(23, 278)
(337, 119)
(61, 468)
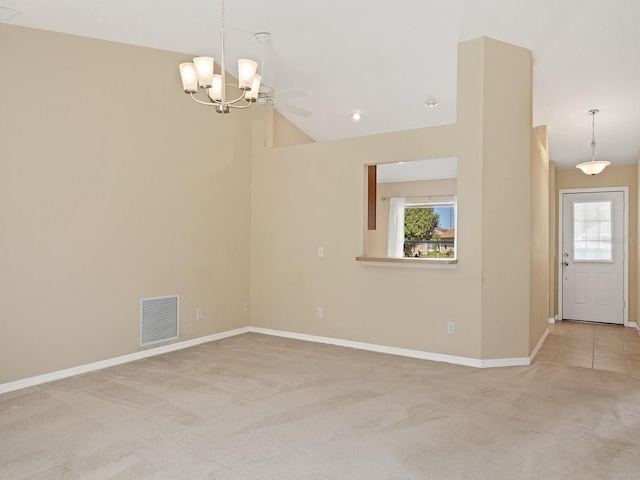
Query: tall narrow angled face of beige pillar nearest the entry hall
(506, 201)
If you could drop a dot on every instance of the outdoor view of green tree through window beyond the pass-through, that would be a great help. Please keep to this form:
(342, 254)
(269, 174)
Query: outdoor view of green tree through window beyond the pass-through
(429, 232)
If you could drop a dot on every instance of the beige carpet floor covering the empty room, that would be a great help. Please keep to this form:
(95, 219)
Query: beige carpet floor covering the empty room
(255, 407)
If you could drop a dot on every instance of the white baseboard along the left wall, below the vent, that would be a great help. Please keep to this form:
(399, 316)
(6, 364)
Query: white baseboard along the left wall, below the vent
(111, 362)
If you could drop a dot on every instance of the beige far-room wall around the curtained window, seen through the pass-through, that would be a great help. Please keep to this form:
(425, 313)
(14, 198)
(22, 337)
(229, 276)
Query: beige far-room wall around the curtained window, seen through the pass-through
(377, 239)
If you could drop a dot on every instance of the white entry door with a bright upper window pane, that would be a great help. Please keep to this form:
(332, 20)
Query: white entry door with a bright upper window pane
(592, 257)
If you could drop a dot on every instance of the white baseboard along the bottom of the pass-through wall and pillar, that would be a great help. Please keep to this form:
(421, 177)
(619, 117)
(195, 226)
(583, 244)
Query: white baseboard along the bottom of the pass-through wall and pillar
(436, 357)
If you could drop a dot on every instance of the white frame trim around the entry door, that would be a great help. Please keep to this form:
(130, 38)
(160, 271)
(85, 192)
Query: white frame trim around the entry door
(625, 243)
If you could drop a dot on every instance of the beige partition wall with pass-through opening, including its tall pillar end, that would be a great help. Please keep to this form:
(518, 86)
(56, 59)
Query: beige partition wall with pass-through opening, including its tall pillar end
(312, 195)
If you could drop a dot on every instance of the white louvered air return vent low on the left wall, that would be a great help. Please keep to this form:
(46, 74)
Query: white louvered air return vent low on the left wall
(158, 319)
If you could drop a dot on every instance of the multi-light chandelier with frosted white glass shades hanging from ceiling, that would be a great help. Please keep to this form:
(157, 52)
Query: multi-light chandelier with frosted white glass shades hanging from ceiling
(201, 74)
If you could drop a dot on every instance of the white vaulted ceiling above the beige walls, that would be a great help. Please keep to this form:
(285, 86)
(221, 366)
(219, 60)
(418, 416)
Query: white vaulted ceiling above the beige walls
(384, 59)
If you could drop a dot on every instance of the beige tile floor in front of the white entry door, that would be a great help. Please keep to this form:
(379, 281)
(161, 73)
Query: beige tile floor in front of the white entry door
(589, 345)
